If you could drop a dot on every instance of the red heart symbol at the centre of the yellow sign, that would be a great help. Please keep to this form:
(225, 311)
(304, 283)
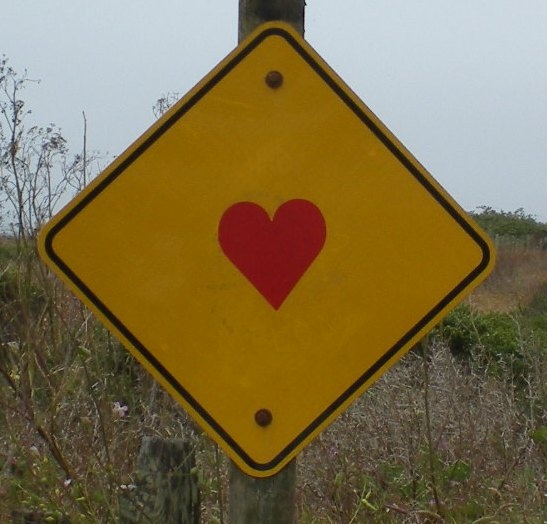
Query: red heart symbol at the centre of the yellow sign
(272, 254)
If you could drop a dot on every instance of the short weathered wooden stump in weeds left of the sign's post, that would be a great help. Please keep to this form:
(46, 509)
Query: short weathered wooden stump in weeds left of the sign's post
(165, 488)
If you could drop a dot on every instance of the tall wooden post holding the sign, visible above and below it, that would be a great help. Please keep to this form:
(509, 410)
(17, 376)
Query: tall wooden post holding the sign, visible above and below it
(268, 500)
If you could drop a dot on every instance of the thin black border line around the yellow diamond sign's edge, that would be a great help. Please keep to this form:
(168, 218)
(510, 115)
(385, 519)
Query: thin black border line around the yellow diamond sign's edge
(400, 155)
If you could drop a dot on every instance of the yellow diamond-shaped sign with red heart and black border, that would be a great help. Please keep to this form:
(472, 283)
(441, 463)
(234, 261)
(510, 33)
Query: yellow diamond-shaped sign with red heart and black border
(267, 249)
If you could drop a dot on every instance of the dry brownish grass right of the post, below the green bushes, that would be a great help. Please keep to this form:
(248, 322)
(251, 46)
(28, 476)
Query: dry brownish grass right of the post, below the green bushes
(432, 441)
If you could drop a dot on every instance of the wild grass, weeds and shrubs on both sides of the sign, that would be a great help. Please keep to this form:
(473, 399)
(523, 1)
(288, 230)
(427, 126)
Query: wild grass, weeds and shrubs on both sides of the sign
(457, 432)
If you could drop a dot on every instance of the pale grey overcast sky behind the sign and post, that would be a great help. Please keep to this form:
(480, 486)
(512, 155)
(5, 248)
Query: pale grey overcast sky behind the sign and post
(462, 83)
